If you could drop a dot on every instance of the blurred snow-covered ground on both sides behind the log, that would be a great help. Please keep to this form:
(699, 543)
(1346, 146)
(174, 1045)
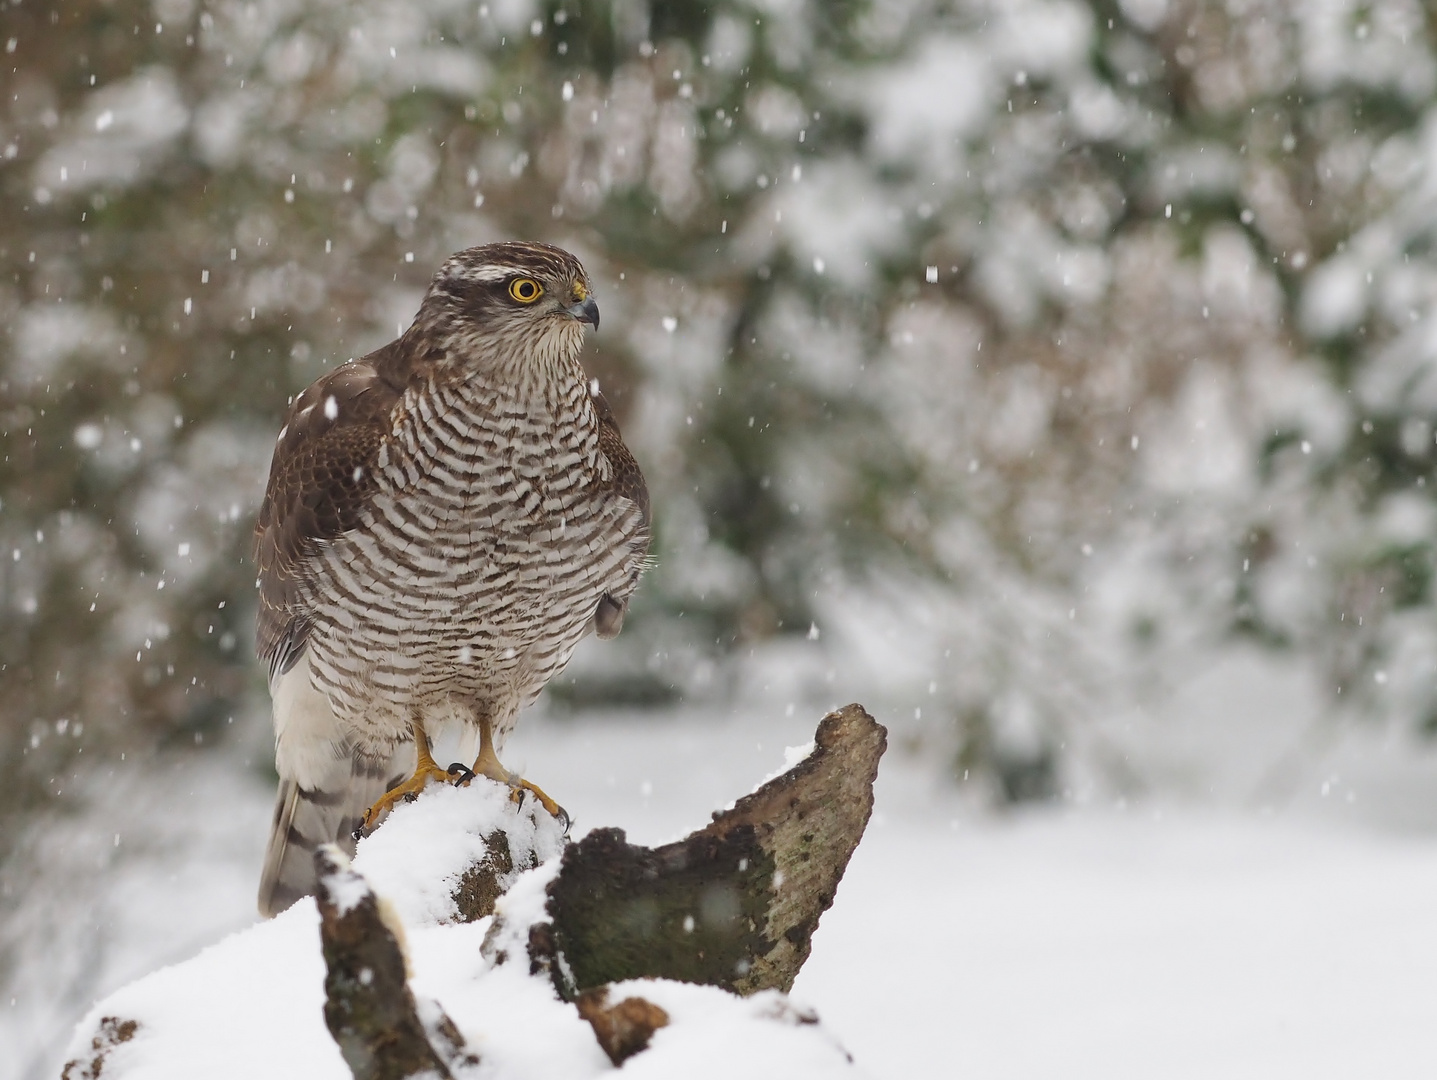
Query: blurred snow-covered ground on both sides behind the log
(1103, 940)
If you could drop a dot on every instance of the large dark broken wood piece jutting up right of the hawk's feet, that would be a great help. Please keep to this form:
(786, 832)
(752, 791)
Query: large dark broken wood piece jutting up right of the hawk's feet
(732, 906)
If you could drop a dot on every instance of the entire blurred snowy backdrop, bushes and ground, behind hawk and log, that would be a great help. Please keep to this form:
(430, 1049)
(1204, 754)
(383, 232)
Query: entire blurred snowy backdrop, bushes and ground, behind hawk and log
(1055, 378)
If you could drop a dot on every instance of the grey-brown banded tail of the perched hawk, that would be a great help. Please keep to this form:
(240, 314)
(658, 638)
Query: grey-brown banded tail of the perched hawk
(305, 819)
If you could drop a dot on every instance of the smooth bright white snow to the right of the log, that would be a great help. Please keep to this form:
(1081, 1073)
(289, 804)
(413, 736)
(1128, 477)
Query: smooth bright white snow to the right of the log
(1107, 946)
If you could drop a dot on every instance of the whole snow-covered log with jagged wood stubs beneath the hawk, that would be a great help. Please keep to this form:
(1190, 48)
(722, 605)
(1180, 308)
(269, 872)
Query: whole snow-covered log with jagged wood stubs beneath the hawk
(669, 960)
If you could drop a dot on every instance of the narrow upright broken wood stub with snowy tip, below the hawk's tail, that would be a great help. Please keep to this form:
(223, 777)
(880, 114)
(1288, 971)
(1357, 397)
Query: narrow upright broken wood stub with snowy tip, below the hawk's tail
(369, 1006)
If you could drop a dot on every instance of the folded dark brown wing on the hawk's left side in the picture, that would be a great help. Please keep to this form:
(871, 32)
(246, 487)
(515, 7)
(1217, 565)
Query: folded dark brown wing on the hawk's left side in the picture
(321, 480)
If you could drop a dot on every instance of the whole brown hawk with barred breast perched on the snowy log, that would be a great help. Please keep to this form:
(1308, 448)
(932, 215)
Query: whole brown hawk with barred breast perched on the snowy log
(445, 521)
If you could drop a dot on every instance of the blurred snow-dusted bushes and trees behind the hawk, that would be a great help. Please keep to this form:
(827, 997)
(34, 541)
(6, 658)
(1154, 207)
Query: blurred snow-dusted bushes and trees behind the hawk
(1017, 353)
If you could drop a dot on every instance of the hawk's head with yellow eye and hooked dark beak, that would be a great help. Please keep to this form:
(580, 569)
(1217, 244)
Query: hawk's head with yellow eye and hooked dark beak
(511, 304)
